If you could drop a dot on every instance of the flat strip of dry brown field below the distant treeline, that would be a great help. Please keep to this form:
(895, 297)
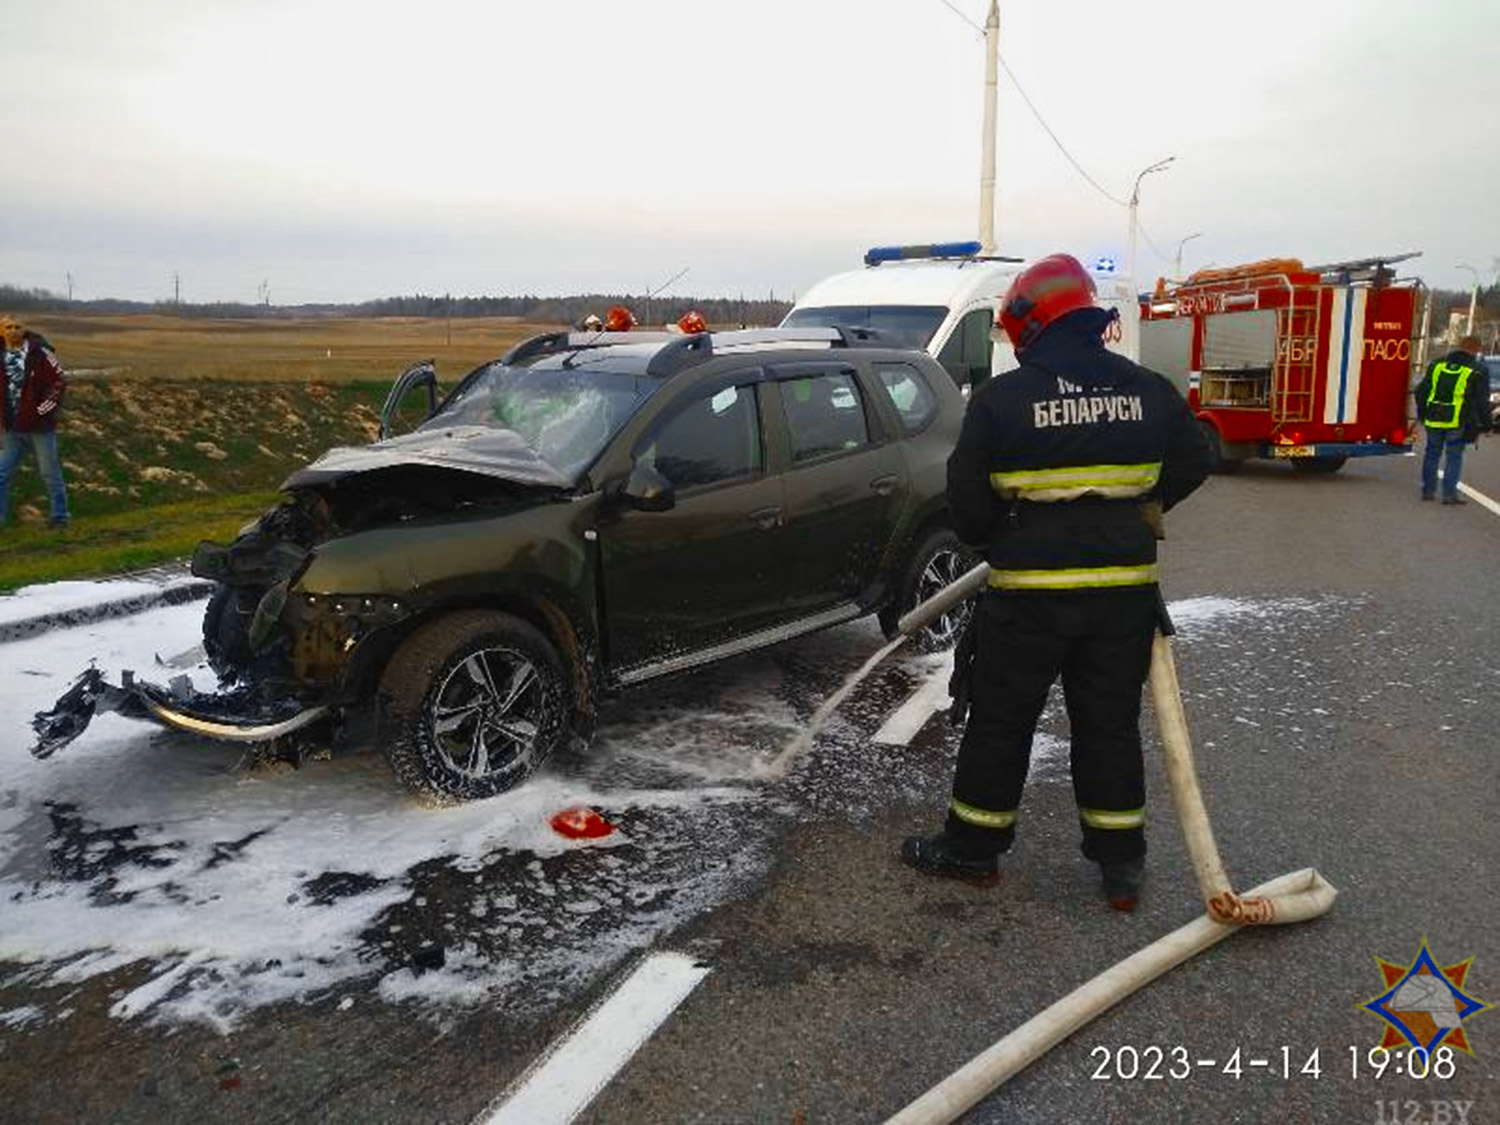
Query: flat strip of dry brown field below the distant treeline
(277, 350)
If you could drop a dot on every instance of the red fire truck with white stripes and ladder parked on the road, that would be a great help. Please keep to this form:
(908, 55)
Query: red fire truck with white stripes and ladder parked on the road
(1304, 364)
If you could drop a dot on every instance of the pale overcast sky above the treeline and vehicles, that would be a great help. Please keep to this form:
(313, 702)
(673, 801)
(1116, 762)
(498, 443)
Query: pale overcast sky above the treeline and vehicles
(353, 151)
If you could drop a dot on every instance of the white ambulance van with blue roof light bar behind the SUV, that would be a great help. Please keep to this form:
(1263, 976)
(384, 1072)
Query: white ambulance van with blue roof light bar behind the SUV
(944, 299)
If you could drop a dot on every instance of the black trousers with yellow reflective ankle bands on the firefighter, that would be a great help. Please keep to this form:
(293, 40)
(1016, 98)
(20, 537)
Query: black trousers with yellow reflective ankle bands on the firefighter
(1099, 643)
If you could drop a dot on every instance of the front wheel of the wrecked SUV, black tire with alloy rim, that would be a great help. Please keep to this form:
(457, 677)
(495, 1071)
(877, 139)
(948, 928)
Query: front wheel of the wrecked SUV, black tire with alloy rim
(499, 679)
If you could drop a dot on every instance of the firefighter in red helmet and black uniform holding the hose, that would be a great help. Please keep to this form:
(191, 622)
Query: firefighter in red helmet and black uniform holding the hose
(1057, 475)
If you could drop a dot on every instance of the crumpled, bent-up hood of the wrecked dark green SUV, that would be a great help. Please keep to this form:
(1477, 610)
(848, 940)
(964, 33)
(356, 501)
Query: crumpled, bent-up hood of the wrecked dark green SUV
(467, 449)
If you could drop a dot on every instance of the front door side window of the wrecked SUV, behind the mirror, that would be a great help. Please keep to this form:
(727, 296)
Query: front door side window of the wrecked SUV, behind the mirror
(713, 439)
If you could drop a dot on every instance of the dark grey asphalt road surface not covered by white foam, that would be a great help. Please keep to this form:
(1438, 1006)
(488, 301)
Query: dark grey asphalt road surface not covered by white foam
(1345, 718)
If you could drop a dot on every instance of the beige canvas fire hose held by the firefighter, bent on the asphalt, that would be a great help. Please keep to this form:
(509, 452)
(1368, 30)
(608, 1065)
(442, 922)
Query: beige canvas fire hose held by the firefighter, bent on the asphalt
(1288, 899)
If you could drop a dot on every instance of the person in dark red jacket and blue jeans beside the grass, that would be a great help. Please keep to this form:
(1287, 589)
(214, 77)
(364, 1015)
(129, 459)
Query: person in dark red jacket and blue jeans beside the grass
(29, 406)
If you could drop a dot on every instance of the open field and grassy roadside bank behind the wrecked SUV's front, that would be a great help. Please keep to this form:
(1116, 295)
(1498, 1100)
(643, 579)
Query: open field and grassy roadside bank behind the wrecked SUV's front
(179, 431)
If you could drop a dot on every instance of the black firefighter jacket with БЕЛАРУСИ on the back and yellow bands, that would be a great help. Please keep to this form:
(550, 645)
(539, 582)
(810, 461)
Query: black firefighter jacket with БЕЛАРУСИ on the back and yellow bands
(1057, 458)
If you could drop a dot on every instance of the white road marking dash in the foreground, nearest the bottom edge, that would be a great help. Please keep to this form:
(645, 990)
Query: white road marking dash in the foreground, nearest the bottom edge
(563, 1082)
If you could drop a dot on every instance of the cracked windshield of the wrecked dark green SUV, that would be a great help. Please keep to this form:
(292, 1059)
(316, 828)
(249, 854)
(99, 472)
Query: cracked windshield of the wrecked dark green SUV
(565, 415)
